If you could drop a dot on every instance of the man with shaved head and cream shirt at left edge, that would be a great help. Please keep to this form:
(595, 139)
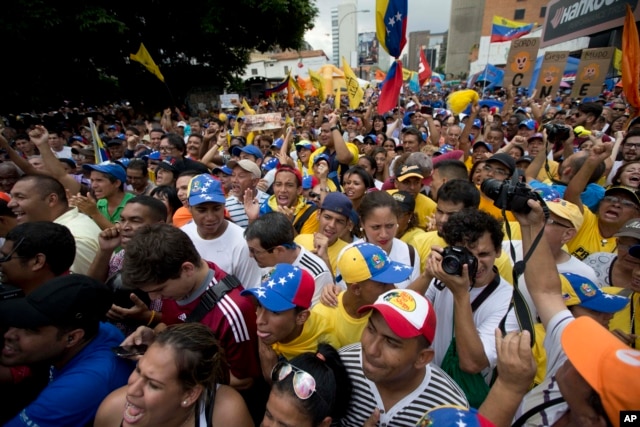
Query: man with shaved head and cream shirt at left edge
(43, 198)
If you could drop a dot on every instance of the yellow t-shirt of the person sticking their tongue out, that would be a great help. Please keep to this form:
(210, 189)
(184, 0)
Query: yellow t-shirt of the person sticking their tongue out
(316, 330)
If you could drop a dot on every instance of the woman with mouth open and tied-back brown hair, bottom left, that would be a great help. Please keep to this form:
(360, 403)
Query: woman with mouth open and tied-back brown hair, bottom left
(177, 382)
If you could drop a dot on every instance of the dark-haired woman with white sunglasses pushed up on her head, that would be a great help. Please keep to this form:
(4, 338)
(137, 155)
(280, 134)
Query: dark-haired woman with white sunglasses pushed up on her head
(311, 390)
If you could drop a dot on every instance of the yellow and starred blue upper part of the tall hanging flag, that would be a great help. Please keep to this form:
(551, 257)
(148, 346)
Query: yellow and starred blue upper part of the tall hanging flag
(391, 25)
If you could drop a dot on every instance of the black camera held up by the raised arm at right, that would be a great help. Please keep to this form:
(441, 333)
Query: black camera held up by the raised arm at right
(511, 195)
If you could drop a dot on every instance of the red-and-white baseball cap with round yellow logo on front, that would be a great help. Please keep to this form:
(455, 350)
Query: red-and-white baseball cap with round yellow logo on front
(407, 313)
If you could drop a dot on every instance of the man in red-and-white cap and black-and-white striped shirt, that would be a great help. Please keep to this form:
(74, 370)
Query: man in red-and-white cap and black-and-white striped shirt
(390, 369)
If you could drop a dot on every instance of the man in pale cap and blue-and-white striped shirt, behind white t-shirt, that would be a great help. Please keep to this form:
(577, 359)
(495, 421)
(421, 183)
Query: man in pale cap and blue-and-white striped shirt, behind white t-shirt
(244, 183)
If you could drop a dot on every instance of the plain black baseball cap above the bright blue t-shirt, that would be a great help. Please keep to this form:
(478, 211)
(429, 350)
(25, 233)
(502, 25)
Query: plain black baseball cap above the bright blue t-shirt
(70, 299)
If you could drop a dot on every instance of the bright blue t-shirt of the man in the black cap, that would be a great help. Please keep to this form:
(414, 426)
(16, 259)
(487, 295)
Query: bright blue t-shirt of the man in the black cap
(75, 392)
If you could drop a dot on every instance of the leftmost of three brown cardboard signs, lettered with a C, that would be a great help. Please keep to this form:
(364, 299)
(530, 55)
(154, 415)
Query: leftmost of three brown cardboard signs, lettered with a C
(521, 62)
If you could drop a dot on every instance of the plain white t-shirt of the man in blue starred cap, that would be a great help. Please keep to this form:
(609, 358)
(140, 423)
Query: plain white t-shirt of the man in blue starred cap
(229, 252)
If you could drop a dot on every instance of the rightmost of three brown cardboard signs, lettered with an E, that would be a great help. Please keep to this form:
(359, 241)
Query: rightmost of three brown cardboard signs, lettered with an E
(592, 70)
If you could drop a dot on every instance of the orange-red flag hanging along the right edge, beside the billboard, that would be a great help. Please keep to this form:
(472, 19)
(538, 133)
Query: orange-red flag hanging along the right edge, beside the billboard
(630, 59)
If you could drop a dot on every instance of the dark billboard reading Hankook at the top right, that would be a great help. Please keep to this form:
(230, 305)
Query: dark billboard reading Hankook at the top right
(570, 19)
